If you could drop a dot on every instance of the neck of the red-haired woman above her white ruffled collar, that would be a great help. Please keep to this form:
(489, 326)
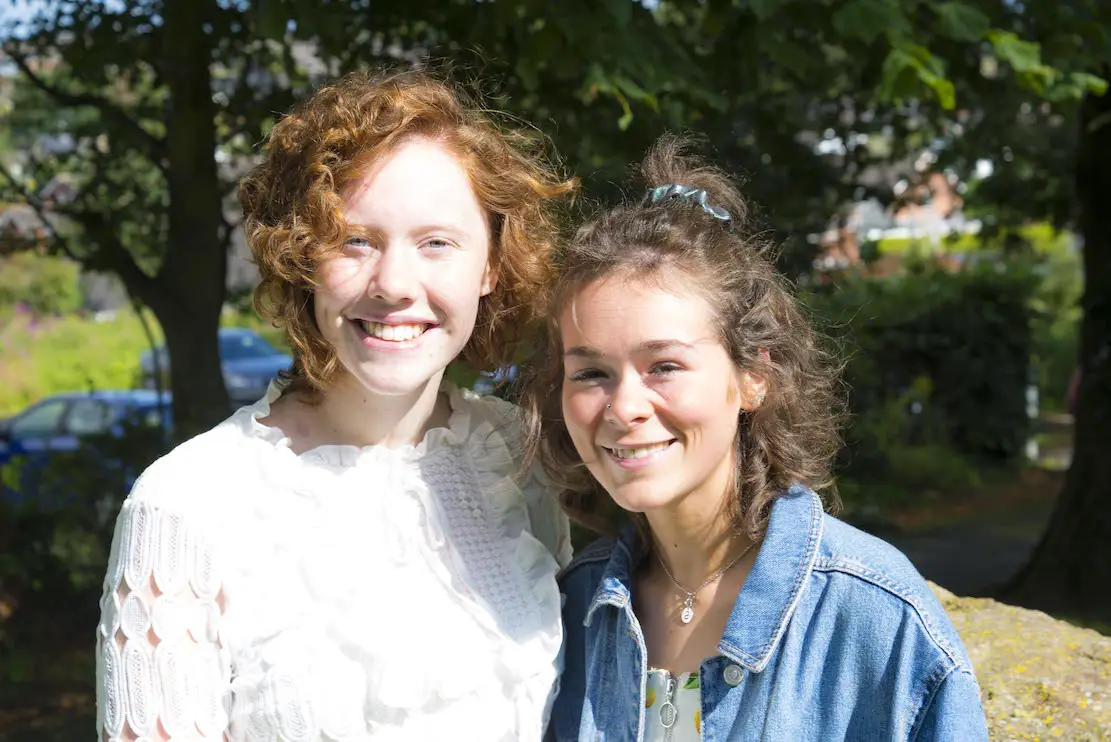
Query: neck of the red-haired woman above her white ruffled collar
(349, 414)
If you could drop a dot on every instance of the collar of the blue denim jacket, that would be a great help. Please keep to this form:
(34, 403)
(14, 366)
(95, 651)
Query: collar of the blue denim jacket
(772, 591)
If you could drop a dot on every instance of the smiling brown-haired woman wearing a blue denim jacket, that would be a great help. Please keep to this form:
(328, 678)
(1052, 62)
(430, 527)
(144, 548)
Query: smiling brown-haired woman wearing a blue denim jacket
(683, 383)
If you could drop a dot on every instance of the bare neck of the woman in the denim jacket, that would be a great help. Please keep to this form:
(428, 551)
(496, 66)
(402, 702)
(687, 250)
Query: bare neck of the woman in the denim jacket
(695, 537)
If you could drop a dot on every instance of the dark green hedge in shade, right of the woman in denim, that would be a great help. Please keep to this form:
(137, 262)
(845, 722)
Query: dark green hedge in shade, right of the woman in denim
(940, 364)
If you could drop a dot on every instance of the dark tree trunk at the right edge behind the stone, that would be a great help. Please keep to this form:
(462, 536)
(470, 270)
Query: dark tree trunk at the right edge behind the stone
(1070, 571)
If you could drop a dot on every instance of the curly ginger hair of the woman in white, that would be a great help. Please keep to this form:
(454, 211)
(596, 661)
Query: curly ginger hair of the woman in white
(294, 204)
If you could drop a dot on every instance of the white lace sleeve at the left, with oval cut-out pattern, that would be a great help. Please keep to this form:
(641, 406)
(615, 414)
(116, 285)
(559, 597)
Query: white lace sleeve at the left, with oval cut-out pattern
(162, 671)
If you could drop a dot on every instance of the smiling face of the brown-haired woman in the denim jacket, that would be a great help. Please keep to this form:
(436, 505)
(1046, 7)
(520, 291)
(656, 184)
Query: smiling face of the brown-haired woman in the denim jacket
(675, 396)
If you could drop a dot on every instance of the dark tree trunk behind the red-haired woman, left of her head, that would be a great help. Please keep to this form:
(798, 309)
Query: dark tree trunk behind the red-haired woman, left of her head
(194, 275)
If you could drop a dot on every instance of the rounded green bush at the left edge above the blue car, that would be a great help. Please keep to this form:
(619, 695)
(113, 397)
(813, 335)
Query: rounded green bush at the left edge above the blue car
(42, 285)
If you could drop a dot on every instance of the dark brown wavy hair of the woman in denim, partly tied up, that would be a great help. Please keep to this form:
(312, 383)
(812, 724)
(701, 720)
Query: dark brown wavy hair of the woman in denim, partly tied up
(793, 437)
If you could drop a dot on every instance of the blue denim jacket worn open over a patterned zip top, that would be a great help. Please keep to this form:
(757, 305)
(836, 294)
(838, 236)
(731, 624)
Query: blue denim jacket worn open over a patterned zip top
(835, 636)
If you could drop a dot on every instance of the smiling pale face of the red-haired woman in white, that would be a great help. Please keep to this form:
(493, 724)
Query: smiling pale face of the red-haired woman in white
(401, 300)
